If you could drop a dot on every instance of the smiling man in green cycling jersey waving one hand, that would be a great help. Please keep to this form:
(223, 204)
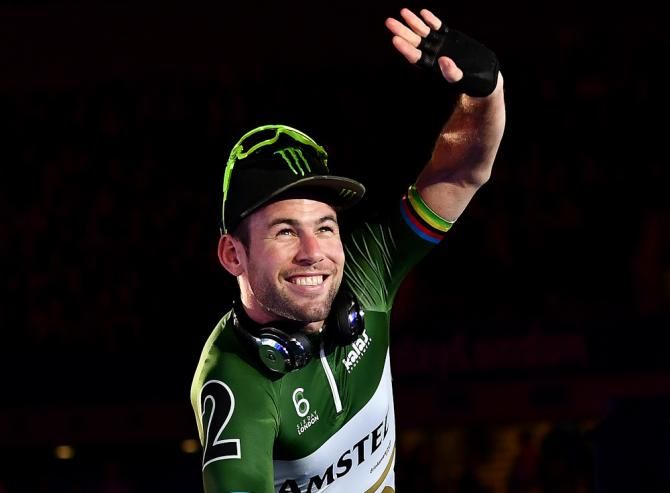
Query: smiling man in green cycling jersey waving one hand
(293, 389)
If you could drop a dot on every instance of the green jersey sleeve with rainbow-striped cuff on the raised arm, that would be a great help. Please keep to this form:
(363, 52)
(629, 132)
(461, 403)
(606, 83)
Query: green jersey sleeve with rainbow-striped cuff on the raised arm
(381, 253)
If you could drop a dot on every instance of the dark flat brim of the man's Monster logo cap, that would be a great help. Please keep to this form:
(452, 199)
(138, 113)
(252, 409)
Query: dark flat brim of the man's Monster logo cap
(341, 192)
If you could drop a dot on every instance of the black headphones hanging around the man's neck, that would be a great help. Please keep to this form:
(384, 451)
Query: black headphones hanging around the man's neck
(283, 350)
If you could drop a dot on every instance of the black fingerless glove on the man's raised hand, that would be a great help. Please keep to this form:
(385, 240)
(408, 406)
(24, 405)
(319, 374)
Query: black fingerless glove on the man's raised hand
(478, 63)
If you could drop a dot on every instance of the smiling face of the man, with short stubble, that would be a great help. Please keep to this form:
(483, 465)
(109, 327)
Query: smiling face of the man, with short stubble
(294, 263)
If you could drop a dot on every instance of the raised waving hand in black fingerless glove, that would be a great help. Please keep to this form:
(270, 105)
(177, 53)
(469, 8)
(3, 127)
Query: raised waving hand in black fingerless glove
(461, 60)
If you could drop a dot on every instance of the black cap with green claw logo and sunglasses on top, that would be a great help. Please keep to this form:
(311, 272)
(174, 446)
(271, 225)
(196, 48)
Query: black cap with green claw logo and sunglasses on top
(272, 160)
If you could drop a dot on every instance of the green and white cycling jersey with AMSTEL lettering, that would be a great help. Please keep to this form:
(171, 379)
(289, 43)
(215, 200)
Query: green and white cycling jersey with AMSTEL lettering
(330, 424)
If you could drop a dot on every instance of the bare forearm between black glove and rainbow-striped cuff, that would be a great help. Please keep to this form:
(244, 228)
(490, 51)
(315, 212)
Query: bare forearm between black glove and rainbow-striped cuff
(463, 156)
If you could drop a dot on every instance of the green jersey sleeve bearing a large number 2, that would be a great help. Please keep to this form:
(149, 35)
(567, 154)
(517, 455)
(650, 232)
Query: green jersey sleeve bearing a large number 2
(237, 428)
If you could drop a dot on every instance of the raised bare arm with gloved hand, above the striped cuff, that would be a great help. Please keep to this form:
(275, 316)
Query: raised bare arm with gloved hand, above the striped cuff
(467, 145)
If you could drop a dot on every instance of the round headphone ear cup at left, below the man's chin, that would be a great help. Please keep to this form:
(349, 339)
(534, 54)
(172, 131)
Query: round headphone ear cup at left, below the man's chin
(282, 352)
